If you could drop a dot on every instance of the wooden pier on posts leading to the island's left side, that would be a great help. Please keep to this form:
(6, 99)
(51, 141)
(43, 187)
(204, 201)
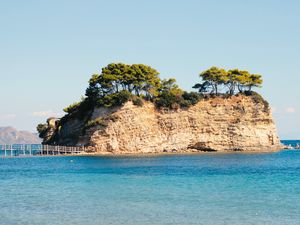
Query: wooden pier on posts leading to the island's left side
(24, 150)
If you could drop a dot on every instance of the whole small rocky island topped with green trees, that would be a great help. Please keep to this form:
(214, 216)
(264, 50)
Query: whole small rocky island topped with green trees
(128, 109)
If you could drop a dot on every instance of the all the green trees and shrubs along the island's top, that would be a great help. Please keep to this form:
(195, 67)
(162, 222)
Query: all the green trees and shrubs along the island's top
(118, 83)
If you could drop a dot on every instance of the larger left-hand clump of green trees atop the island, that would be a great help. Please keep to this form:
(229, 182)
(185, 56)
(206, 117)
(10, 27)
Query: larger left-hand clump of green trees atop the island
(116, 84)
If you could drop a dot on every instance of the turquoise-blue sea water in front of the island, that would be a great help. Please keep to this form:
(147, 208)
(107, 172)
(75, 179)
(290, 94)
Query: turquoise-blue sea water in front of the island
(234, 188)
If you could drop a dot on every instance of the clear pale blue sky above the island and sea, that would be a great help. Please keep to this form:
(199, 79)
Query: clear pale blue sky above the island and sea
(49, 49)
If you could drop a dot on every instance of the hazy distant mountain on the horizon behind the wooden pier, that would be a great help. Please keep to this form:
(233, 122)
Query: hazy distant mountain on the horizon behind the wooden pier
(10, 135)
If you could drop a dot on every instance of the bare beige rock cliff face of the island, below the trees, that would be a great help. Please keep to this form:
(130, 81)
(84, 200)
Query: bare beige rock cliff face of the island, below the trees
(238, 123)
